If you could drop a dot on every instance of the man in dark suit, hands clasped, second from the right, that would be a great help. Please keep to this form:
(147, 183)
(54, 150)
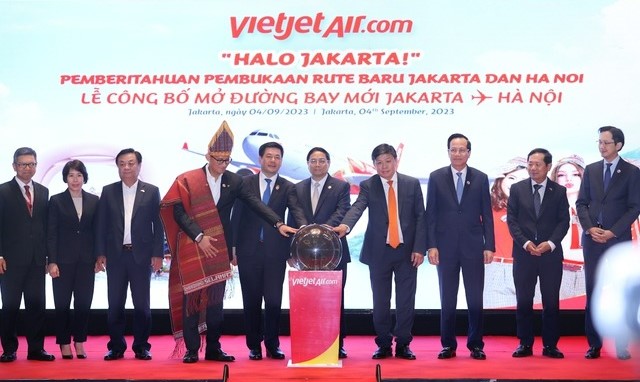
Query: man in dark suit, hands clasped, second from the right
(538, 219)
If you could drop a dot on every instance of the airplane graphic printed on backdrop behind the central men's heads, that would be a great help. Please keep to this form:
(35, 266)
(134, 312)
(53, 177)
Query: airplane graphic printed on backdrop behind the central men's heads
(294, 164)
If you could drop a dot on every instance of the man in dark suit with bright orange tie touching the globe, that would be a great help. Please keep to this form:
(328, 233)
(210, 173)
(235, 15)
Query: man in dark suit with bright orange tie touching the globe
(393, 248)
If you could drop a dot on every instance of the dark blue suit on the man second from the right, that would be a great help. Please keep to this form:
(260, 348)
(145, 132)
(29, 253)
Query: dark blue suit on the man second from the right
(551, 224)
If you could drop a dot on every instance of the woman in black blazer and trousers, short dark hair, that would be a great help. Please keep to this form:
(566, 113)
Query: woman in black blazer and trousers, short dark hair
(71, 238)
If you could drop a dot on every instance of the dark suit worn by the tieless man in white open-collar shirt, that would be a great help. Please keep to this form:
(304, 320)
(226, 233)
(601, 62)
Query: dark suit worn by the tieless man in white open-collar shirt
(129, 268)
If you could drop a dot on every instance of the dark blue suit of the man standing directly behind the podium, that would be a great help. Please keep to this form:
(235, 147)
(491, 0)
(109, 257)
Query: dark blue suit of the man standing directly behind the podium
(333, 204)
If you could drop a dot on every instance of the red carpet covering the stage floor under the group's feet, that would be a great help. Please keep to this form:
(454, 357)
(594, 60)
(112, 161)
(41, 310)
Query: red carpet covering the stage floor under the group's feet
(358, 367)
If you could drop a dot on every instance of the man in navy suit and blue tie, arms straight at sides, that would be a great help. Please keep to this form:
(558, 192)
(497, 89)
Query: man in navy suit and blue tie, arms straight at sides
(460, 234)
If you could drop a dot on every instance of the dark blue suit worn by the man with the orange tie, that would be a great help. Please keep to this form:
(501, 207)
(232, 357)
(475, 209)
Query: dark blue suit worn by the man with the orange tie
(386, 262)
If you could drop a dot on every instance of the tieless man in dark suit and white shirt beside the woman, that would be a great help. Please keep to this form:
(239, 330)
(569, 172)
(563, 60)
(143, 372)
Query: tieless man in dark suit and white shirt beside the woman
(129, 245)
